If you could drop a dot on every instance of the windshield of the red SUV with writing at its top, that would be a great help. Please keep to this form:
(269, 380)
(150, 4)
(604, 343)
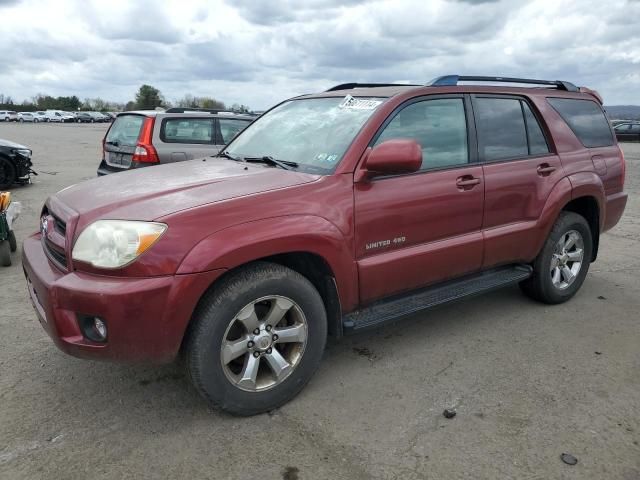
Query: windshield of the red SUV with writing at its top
(314, 132)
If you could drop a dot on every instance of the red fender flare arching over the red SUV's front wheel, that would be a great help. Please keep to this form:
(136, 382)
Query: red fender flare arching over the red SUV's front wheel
(246, 242)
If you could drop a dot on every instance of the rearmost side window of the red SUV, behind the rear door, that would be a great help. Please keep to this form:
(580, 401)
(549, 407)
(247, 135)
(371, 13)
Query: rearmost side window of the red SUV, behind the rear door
(586, 119)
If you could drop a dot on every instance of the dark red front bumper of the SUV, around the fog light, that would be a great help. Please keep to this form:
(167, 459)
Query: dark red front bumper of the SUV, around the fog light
(146, 317)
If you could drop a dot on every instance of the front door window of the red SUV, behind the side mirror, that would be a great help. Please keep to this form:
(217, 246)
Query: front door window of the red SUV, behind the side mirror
(439, 126)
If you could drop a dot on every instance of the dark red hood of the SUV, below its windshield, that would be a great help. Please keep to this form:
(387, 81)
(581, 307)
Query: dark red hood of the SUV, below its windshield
(153, 192)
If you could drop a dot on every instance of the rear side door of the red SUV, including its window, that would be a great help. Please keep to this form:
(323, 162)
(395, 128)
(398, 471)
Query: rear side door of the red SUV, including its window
(520, 171)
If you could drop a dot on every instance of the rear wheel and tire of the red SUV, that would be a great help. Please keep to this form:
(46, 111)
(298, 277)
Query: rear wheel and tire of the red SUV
(562, 265)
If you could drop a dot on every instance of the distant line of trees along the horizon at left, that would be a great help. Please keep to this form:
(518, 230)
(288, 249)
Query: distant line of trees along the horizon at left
(146, 98)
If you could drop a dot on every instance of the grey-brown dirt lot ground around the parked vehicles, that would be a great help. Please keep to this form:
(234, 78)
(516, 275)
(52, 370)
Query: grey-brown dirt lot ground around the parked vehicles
(529, 382)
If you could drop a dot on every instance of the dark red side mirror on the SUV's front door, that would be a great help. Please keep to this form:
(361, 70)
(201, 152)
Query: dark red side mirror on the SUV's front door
(394, 156)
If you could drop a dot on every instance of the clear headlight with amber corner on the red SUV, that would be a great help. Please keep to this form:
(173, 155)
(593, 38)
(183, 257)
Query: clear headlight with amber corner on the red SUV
(115, 243)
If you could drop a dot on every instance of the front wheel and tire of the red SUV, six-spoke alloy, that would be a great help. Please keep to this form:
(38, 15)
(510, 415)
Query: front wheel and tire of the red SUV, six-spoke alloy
(257, 338)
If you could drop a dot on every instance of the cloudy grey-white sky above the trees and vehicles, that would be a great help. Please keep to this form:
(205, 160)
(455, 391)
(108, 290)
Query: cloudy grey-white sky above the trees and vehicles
(260, 52)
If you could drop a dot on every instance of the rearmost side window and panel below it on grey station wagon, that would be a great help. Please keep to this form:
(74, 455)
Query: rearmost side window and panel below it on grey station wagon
(186, 138)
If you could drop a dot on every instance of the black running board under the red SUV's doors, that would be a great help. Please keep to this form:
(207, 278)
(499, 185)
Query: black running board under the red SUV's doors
(398, 306)
